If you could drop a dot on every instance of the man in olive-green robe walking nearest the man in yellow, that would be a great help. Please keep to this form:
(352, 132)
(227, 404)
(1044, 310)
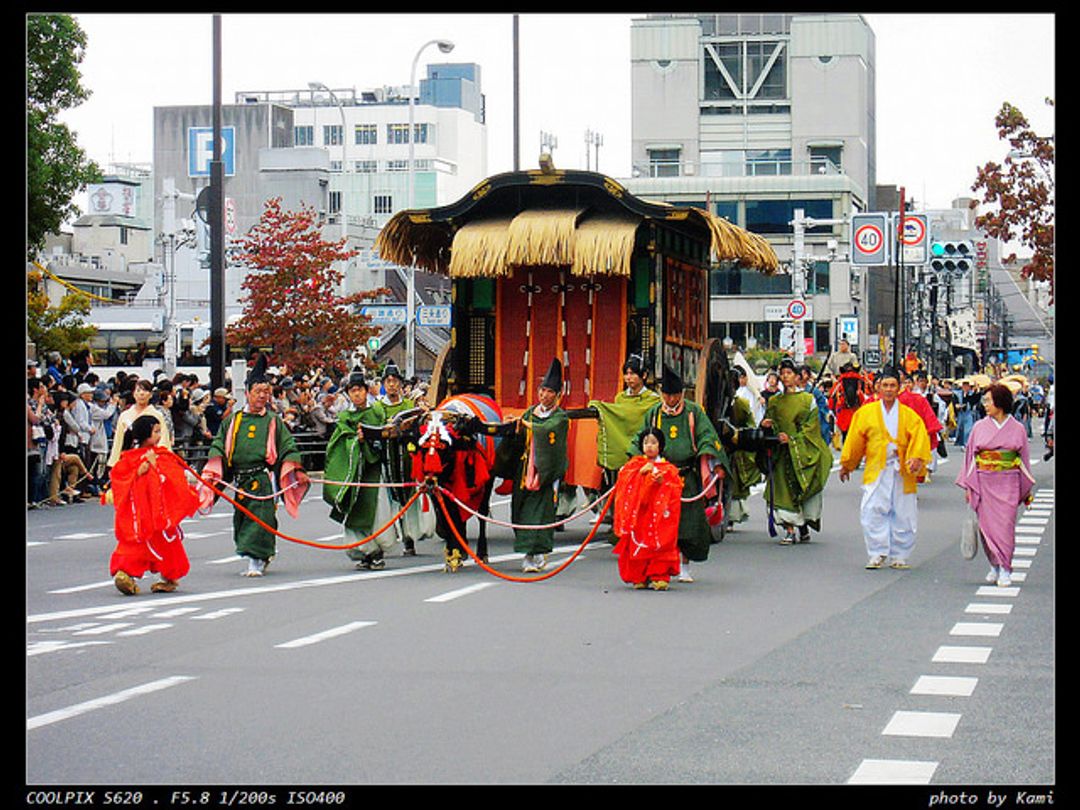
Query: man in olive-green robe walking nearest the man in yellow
(802, 464)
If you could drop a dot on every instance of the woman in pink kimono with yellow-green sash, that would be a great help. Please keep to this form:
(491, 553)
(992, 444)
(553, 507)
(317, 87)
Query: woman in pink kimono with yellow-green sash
(997, 477)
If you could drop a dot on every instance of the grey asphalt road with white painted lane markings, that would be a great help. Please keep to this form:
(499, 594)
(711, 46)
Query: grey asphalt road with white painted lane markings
(780, 666)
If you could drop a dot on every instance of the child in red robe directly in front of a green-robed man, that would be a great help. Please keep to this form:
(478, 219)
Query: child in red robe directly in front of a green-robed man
(647, 504)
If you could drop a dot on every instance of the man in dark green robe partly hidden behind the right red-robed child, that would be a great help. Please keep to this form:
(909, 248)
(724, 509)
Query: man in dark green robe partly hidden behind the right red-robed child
(694, 447)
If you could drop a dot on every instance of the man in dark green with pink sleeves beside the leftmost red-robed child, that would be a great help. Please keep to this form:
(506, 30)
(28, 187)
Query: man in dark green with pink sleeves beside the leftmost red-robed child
(251, 450)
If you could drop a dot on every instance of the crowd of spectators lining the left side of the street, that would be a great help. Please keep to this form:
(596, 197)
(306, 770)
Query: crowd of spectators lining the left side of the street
(73, 416)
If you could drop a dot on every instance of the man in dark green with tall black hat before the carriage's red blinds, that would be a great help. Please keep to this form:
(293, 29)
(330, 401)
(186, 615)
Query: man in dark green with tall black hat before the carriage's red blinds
(543, 467)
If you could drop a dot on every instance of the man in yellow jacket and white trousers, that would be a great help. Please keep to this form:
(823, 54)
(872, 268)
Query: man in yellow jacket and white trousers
(894, 441)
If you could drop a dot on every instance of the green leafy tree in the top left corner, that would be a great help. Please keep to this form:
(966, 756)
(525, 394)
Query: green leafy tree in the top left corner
(57, 167)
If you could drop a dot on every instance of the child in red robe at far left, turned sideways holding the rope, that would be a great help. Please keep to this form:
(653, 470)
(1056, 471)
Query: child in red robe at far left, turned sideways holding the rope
(152, 496)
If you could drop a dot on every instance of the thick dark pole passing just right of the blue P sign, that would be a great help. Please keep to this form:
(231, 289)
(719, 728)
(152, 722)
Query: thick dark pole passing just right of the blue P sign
(218, 228)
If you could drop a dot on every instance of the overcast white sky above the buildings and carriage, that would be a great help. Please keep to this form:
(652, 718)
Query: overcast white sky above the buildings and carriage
(940, 80)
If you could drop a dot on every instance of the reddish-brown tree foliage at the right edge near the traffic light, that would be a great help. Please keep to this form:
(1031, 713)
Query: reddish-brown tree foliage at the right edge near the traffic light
(1021, 192)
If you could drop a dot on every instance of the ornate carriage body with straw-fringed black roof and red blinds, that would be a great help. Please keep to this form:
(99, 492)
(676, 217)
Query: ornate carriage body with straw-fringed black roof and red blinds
(569, 265)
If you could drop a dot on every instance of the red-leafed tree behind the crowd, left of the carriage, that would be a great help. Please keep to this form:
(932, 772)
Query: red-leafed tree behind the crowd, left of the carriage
(291, 304)
